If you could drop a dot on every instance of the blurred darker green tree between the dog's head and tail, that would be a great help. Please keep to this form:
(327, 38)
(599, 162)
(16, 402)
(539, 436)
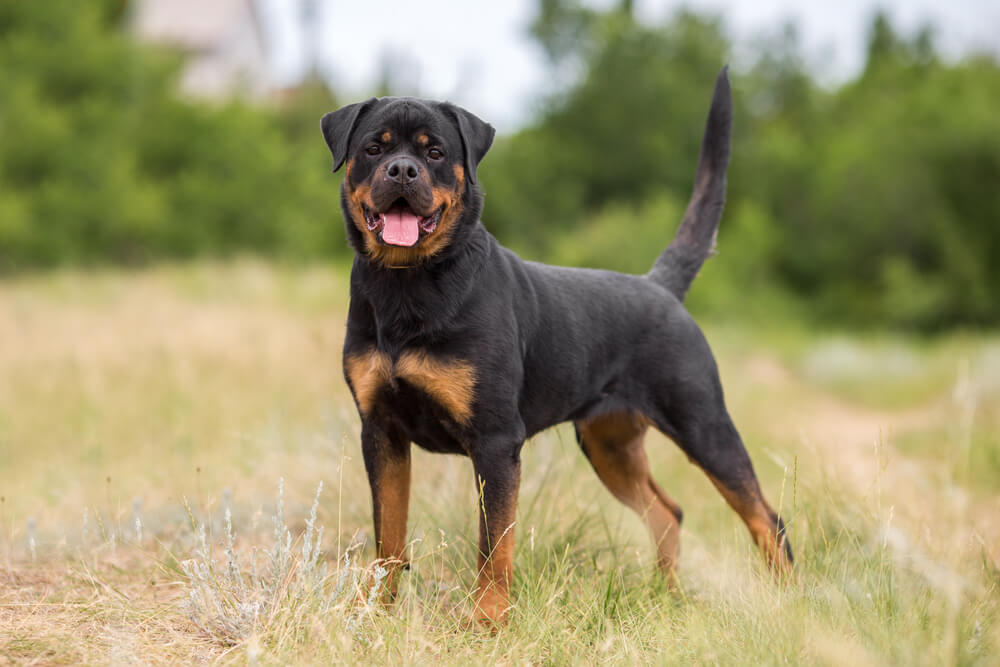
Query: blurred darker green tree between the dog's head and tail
(614, 135)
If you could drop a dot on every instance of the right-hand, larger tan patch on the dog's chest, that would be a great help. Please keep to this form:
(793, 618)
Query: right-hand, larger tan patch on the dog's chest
(450, 383)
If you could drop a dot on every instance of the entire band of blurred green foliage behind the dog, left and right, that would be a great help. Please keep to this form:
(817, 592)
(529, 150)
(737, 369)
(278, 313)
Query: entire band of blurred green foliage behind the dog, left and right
(872, 204)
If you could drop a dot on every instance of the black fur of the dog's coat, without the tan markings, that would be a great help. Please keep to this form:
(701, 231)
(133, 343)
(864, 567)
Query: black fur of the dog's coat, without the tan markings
(548, 344)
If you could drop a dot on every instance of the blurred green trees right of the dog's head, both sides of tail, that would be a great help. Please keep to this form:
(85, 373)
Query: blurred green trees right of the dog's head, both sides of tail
(875, 203)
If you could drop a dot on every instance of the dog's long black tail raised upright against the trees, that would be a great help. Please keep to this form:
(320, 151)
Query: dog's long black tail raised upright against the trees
(677, 267)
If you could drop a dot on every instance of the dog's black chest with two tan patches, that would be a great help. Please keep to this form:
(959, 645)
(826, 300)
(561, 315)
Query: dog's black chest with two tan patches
(430, 397)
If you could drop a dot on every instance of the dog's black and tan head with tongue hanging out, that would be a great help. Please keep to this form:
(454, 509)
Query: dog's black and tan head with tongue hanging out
(410, 183)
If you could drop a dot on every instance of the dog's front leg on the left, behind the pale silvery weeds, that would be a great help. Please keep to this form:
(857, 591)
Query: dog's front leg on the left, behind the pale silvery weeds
(387, 460)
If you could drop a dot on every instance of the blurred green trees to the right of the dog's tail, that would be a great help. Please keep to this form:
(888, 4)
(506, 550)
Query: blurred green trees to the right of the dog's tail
(888, 193)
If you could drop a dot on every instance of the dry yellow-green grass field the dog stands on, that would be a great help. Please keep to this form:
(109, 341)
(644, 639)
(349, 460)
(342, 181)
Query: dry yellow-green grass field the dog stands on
(136, 408)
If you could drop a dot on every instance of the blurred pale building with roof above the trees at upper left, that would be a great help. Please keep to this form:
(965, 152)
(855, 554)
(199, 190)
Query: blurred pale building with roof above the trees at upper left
(224, 41)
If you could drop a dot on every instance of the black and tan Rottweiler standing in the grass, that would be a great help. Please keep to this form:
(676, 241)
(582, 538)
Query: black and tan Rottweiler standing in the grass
(455, 343)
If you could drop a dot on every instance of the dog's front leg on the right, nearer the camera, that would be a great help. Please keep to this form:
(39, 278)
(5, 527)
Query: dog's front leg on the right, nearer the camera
(497, 478)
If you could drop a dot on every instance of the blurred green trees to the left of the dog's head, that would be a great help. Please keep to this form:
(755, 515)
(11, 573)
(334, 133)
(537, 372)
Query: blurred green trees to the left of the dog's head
(100, 160)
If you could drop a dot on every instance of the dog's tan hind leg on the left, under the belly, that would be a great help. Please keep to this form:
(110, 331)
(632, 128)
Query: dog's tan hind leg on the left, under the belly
(614, 446)
